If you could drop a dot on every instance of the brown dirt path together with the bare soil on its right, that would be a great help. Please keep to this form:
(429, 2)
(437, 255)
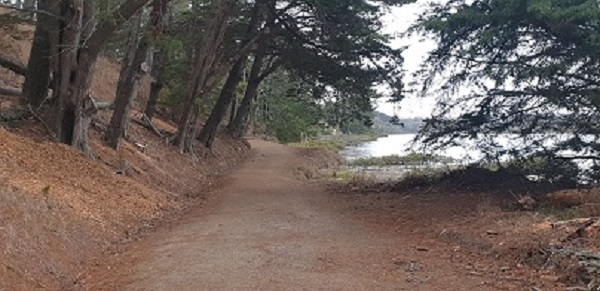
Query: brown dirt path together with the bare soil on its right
(268, 230)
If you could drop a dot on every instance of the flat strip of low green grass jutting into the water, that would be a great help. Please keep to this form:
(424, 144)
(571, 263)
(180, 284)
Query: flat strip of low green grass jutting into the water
(397, 160)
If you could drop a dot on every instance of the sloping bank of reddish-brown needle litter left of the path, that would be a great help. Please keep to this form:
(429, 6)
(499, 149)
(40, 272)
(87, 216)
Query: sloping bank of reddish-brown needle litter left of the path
(61, 212)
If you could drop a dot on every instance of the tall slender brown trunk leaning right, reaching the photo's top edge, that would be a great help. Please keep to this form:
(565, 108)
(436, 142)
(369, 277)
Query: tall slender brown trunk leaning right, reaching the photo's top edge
(203, 62)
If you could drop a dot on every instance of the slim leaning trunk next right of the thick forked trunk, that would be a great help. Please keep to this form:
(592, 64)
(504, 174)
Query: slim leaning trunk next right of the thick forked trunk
(128, 84)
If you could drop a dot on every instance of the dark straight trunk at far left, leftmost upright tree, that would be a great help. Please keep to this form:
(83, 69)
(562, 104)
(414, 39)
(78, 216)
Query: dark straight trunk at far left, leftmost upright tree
(37, 75)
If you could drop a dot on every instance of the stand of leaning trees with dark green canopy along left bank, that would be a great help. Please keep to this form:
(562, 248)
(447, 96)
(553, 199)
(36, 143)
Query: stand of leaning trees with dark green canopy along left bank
(206, 53)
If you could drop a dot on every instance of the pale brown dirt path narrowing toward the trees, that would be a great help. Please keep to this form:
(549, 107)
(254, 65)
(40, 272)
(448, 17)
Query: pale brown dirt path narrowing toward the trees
(271, 231)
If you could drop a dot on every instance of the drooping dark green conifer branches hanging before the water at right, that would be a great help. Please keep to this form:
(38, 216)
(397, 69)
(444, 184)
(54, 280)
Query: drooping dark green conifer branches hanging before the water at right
(530, 68)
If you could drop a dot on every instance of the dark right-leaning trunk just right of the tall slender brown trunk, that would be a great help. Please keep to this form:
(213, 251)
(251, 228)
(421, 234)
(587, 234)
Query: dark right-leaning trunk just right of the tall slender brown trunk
(210, 128)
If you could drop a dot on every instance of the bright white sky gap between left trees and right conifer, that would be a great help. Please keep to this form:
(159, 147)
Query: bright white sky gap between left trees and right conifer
(400, 19)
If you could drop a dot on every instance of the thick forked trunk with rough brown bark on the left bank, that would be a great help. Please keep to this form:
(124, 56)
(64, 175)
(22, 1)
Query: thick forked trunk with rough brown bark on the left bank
(75, 46)
